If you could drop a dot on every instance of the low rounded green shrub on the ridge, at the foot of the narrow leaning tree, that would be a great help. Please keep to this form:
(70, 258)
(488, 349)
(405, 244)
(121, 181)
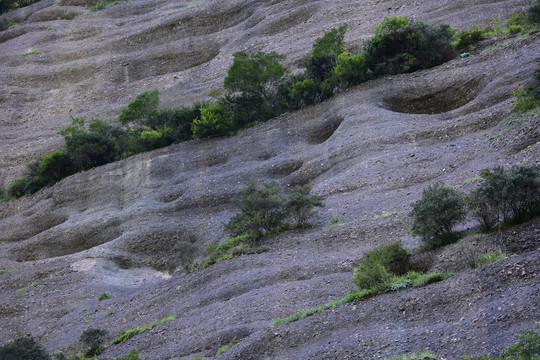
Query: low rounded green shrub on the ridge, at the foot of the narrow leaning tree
(307, 92)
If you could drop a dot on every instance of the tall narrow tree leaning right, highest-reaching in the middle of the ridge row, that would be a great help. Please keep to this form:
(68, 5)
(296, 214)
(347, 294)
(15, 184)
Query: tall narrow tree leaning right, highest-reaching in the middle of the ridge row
(324, 56)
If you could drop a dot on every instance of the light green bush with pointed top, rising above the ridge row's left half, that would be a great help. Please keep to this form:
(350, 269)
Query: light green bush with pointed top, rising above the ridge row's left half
(142, 110)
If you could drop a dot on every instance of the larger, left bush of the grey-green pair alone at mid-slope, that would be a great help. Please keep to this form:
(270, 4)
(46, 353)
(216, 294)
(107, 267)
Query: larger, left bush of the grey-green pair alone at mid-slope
(262, 207)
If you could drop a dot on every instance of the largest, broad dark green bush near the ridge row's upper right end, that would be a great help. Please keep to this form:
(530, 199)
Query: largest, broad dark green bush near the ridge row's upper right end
(401, 46)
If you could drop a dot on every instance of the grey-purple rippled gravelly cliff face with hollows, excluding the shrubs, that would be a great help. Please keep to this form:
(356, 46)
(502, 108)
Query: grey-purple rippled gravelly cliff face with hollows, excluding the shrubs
(370, 150)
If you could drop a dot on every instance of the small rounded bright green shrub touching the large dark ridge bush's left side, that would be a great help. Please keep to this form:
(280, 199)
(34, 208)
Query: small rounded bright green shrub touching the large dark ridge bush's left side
(351, 69)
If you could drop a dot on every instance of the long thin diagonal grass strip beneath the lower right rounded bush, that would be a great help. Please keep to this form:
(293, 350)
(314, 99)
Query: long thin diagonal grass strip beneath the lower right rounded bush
(411, 279)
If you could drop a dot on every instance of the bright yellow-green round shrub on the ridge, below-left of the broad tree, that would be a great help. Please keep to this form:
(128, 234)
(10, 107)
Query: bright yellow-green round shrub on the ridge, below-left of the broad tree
(212, 122)
